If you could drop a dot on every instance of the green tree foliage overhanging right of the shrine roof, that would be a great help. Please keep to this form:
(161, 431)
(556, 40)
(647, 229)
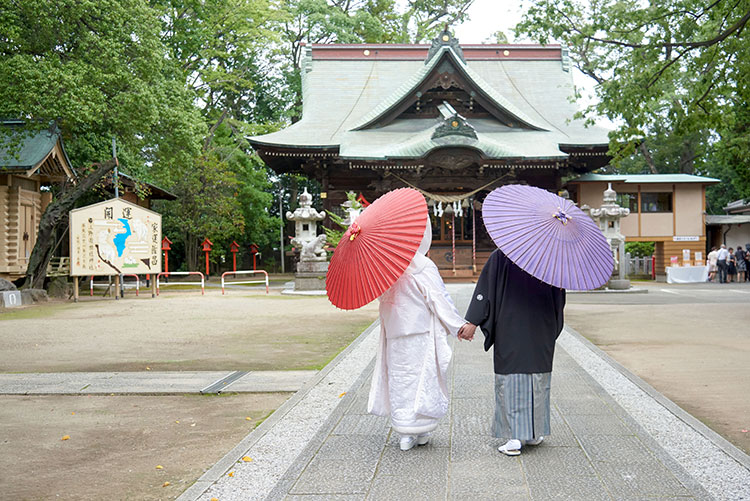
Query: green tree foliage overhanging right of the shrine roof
(672, 74)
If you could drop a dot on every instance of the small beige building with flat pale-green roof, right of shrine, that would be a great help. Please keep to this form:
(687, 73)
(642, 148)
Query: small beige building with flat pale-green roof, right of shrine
(668, 209)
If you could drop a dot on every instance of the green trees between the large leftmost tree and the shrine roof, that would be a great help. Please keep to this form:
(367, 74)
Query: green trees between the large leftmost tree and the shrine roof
(219, 47)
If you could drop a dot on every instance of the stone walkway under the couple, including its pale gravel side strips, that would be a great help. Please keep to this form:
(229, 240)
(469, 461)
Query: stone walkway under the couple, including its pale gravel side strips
(596, 451)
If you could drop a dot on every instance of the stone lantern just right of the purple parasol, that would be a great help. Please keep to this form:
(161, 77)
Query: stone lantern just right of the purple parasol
(608, 218)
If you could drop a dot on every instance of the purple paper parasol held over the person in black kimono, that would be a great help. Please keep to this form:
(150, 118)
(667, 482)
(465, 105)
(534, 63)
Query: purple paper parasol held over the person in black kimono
(548, 237)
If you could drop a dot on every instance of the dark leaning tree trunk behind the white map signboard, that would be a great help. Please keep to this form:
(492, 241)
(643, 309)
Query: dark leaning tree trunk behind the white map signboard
(55, 214)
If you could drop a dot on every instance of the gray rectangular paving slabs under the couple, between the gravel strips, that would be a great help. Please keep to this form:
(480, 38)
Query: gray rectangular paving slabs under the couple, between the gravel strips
(595, 452)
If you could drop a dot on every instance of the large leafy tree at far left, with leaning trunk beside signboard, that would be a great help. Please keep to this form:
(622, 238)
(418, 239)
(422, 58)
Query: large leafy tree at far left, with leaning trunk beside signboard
(97, 70)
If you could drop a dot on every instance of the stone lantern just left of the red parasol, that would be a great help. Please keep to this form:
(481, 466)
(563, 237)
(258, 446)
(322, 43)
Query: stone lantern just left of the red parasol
(313, 260)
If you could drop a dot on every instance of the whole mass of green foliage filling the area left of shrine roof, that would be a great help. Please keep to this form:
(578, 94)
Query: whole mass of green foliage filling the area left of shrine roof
(180, 84)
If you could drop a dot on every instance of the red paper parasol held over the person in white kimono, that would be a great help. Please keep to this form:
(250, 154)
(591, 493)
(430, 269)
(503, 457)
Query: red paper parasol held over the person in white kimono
(376, 249)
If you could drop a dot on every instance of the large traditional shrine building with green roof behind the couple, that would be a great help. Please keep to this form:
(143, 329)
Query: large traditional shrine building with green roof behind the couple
(453, 121)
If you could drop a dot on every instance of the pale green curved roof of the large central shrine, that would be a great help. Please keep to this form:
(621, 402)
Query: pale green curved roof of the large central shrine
(340, 97)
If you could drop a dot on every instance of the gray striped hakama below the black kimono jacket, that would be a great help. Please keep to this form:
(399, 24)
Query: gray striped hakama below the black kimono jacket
(522, 406)
